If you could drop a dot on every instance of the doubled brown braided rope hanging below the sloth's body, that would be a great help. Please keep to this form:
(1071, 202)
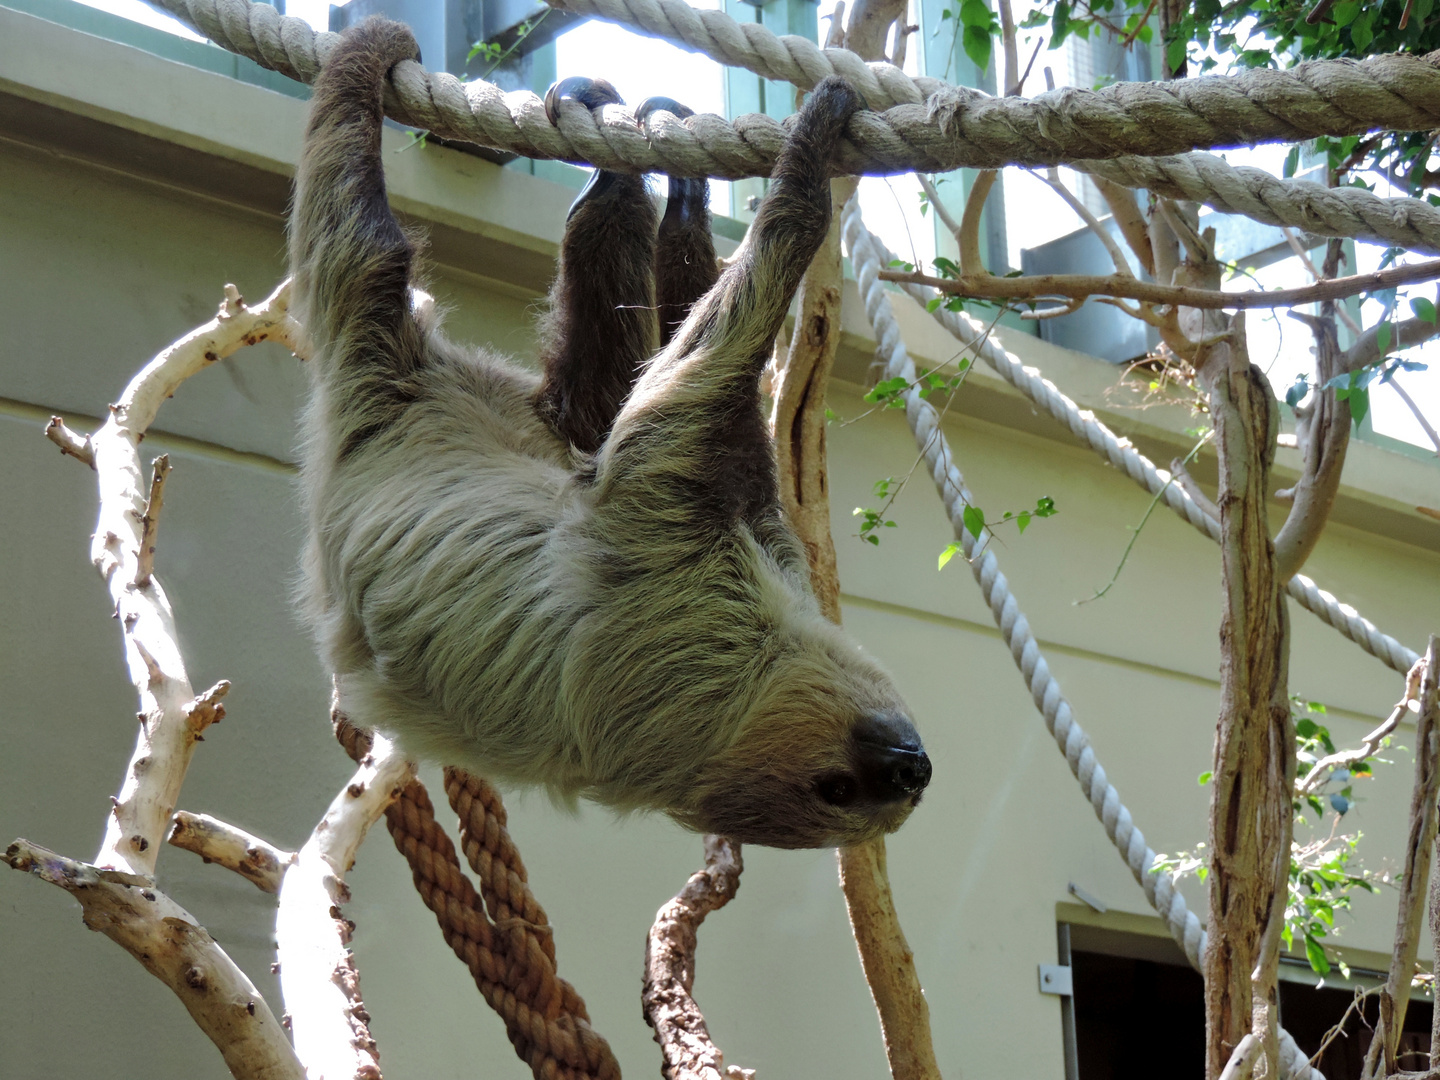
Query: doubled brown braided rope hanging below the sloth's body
(510, 954)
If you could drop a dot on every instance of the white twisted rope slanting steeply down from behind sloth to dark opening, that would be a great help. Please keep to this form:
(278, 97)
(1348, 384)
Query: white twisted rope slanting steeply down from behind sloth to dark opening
(868, 256)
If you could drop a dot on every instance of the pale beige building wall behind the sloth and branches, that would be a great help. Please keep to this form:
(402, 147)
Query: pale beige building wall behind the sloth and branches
(132, 189)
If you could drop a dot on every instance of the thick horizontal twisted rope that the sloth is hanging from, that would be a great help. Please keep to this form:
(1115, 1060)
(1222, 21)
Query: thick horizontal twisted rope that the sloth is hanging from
(955, 127)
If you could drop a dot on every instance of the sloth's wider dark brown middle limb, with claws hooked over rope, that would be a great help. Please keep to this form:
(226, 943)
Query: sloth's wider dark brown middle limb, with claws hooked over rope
(601, 325)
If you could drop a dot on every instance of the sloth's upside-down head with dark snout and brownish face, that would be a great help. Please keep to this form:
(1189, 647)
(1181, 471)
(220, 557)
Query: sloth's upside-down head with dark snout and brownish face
(826, 757)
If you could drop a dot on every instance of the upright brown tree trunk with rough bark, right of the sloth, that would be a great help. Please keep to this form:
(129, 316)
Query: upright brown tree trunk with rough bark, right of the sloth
(1251, 816)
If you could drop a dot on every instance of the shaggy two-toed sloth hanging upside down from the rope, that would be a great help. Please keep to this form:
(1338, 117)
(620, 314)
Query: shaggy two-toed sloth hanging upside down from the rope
(581, 580)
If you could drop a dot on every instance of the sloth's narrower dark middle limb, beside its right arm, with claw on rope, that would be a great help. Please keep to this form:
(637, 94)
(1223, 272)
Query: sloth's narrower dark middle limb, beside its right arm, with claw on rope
(685, 251)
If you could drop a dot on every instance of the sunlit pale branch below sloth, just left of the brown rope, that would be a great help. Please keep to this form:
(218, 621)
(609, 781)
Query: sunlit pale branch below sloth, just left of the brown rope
(318, 973)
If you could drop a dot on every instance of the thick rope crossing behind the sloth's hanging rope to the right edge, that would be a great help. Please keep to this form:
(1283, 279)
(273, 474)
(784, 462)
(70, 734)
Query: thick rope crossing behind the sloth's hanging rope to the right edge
(1328, 212)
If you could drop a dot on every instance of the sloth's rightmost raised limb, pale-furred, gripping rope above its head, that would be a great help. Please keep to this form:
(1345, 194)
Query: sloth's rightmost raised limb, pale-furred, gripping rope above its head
(690, 450)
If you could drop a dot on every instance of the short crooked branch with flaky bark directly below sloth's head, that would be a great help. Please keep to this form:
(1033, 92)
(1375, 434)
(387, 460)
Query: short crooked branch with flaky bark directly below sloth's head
(670, 970)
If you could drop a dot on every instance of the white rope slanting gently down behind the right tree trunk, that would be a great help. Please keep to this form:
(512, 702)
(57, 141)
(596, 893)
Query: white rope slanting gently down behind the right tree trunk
(1140, 469)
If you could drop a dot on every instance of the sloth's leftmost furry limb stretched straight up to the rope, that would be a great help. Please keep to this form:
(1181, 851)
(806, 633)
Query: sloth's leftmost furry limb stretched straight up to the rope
(349, 257)
